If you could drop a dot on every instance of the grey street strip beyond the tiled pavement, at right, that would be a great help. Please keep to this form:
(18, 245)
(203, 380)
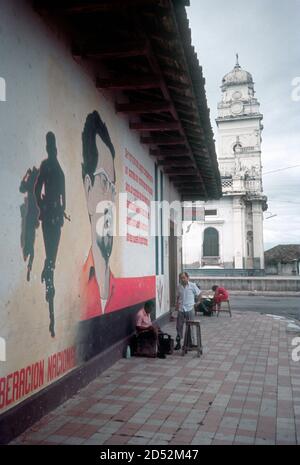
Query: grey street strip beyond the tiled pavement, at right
(283, 306)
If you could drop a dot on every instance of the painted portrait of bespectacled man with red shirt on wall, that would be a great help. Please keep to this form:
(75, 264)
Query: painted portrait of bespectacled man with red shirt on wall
(101, 292)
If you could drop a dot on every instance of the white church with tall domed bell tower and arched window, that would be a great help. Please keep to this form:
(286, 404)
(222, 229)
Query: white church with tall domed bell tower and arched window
(230, 237)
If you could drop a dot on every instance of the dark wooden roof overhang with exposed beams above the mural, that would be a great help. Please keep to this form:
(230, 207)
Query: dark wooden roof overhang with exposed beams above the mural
(141, 52)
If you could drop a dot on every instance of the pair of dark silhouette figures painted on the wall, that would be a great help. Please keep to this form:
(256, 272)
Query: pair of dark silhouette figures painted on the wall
(45, 201)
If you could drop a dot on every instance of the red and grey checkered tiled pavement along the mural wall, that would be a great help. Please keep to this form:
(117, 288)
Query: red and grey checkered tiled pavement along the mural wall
(245, 389)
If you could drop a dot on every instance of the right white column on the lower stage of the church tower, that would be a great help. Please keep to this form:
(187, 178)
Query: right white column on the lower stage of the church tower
(258, 240)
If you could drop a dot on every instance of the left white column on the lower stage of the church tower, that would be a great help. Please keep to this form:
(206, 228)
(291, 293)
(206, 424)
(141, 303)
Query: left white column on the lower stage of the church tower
(238, 232)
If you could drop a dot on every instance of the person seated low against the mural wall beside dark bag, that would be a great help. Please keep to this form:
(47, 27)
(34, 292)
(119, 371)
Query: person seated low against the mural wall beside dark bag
(147, 333)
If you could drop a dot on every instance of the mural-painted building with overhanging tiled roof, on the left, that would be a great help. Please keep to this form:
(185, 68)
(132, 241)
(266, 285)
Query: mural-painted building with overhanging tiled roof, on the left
(93, 131)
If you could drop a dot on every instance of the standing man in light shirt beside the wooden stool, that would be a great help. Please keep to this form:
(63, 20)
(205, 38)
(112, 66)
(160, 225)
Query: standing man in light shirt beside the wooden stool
(187, 292)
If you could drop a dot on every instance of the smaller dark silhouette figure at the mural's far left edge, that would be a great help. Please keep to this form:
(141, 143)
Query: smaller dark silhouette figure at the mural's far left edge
(29, 216)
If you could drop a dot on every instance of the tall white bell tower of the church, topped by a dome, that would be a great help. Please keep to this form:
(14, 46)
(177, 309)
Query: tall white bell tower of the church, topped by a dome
(240, 127)
